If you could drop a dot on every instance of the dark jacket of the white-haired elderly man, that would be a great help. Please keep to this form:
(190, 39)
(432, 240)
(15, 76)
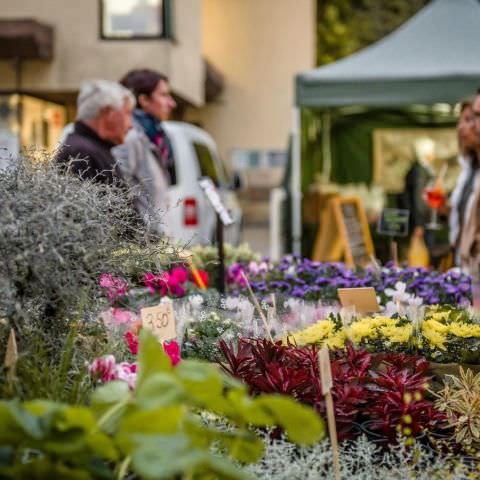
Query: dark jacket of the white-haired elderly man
(88, 154)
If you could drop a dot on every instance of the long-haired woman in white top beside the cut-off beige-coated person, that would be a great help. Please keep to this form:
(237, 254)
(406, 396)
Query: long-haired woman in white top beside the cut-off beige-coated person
(468, 182)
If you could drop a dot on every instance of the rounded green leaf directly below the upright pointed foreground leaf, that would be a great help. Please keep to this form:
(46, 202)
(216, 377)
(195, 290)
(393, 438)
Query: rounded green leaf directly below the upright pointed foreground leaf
(160, 390)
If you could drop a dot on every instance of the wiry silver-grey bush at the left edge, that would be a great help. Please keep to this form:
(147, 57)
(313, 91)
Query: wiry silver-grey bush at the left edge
(57, 234)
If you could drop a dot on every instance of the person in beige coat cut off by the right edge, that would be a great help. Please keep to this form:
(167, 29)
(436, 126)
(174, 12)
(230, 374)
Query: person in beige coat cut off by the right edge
(469, 234)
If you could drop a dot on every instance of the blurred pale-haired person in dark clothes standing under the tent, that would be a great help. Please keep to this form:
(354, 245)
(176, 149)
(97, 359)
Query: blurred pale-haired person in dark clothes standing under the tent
(418, 177)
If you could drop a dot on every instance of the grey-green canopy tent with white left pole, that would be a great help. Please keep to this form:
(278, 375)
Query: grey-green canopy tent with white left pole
(431, 59)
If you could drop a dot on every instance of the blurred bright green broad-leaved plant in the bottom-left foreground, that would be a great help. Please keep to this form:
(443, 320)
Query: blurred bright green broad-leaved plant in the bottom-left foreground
(156, 432)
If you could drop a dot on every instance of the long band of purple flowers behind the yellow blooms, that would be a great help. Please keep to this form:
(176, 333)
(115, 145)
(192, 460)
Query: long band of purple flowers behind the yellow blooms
(309, 280)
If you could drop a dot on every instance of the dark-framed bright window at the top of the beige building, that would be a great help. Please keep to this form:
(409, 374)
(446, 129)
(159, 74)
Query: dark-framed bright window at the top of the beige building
(134, 19)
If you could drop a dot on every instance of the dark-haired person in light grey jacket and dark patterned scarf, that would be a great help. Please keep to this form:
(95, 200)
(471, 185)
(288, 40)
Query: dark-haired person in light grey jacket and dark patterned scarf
(145, 158)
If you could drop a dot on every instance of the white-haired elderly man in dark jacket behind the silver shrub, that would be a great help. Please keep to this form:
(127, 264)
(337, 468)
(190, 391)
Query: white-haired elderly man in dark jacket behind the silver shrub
(104, 116)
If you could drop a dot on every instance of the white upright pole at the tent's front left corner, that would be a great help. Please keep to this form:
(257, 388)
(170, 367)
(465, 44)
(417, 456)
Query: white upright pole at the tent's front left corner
(296, 183)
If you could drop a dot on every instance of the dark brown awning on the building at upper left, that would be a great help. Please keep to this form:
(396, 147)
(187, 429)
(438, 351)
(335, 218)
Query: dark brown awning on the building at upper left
(26, 39)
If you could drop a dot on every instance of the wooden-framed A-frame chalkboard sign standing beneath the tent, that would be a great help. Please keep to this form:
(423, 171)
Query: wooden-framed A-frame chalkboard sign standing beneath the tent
(354, 230)
